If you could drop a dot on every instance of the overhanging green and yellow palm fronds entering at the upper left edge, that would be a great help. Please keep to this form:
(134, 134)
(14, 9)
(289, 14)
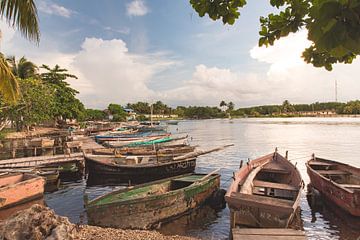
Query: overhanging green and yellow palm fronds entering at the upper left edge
(22, 15)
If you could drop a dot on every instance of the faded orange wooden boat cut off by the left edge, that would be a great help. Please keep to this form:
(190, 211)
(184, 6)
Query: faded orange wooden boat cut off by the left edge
(17, 188)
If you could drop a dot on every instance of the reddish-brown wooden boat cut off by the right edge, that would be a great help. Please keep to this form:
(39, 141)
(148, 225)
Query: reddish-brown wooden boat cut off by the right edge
(338, 182)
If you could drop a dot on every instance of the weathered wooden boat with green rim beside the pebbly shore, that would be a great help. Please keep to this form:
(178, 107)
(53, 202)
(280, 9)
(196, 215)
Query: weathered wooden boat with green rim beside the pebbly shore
(147, 205)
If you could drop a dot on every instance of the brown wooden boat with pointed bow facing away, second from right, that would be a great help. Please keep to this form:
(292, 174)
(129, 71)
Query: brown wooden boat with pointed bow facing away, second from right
(265, 193)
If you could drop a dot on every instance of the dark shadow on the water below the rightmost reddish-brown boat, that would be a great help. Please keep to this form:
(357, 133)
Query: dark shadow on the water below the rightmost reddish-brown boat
(344, 225)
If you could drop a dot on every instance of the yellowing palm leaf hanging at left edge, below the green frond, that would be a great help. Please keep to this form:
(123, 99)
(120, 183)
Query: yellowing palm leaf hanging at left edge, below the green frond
(9, 86)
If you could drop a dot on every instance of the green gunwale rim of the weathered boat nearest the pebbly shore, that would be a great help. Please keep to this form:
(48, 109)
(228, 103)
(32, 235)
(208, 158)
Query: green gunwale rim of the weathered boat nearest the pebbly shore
(92, 205)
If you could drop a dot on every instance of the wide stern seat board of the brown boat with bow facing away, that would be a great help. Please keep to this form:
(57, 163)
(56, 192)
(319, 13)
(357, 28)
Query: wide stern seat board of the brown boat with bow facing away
(264, 202)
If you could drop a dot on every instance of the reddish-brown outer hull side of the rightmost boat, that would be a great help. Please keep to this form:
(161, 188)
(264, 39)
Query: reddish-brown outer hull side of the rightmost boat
(347, 200)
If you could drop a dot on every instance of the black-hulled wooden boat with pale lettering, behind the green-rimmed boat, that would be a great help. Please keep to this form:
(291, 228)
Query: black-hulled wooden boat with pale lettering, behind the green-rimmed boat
(137, 170)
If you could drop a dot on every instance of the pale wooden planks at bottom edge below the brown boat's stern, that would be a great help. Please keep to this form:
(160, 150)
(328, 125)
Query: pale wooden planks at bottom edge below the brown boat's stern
(267, 233)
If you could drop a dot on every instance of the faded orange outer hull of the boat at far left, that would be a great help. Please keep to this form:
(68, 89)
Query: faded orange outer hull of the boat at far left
(22, 191)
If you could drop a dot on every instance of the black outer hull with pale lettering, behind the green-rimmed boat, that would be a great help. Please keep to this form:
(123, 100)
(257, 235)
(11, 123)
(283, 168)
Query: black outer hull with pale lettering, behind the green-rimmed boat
(140, 172)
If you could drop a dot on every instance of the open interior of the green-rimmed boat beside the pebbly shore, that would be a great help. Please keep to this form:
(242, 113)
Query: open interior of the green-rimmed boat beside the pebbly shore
(150, 190)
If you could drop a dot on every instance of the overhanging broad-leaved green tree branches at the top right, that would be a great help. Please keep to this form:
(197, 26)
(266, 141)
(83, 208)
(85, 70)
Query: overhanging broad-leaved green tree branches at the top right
(333, 25)
